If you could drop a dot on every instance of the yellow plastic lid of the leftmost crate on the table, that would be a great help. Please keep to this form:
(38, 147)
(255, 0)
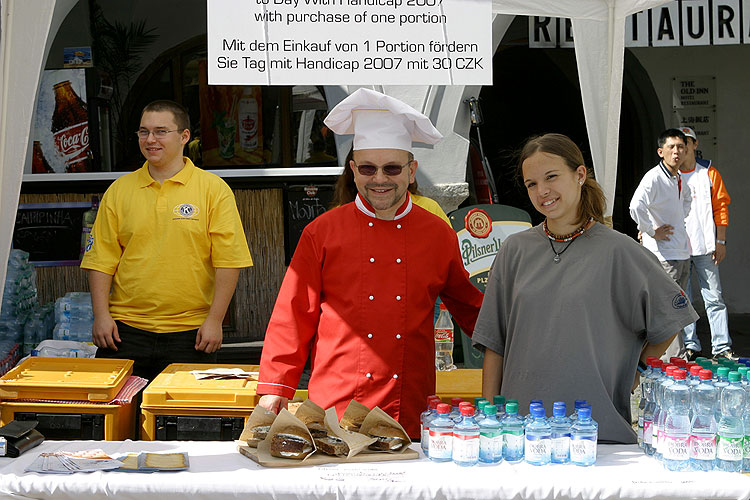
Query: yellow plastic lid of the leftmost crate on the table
(69, 379)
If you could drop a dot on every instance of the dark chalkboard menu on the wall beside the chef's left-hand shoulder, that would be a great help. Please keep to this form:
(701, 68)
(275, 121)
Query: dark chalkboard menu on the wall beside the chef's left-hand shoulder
(302, 203)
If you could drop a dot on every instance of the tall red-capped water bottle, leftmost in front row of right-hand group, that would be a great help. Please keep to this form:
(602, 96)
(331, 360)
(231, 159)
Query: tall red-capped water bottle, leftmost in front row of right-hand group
(677, 423)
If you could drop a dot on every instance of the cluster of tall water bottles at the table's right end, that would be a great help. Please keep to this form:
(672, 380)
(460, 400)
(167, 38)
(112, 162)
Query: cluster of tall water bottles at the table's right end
(696, 416)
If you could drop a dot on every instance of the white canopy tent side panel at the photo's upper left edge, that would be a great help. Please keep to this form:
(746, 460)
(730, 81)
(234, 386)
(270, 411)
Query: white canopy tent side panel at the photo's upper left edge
(25, 28)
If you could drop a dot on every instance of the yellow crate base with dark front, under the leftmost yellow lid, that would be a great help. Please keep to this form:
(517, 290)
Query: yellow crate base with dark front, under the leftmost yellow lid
(96, 422)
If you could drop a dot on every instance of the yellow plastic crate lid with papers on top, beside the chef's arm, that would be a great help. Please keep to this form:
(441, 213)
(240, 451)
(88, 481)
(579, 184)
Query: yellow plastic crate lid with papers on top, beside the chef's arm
(177, 387)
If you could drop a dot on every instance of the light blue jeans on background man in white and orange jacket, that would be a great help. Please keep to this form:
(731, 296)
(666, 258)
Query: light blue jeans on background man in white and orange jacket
(703, 268)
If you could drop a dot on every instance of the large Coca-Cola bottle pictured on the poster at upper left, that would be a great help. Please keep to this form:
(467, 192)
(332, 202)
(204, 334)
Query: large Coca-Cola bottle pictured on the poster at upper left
(70, 128)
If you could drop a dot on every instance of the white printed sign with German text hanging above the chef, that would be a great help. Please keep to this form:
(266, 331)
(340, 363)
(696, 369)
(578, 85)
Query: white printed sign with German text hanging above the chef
(349, 42)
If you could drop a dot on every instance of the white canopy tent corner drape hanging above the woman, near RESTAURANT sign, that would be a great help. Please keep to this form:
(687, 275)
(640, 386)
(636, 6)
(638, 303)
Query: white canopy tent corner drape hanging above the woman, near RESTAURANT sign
(599, 33)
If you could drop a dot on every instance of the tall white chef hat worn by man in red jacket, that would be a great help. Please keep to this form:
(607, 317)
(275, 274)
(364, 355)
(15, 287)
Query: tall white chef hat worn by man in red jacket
(379, 121)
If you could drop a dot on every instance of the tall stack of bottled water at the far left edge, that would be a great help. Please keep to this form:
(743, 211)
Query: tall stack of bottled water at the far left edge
(19, 299)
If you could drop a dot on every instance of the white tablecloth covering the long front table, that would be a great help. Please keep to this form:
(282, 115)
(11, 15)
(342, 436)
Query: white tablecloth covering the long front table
(218, 471)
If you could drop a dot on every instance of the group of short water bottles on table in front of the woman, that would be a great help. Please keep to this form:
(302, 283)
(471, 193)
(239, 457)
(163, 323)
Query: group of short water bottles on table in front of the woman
(495, 432)
